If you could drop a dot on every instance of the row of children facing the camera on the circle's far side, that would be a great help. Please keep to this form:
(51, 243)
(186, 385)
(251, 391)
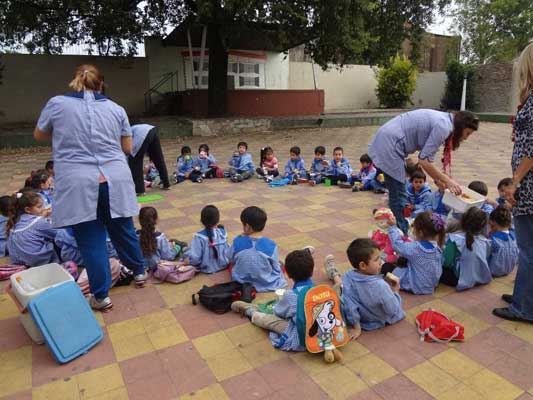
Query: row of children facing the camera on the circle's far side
(336, 171)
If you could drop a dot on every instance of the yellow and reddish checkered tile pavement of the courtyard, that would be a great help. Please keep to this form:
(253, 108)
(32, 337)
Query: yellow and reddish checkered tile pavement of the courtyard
(159, 346)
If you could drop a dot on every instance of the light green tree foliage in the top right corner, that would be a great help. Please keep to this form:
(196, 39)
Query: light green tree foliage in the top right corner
(493, 30)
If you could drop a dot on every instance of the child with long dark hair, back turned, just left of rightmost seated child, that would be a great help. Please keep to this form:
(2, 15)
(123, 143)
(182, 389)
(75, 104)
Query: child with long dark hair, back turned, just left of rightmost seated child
(466, 253)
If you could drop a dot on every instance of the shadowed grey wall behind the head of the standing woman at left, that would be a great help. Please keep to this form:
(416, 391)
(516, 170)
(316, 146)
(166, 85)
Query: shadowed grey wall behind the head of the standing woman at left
(30, 80)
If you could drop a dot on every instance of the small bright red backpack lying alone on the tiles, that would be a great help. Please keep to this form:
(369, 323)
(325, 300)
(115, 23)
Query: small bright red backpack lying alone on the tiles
(432, 326)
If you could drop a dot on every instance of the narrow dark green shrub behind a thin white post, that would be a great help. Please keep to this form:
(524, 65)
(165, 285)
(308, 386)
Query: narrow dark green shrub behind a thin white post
(455, 72)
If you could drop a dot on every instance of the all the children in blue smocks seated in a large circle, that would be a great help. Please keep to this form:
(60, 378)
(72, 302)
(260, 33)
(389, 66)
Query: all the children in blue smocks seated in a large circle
(461, 250)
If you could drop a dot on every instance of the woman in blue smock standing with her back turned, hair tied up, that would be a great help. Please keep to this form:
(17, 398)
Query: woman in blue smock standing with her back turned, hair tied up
(94, 189)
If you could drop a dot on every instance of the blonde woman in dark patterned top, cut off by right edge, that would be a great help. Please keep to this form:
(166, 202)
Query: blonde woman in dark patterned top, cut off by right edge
(520, 196)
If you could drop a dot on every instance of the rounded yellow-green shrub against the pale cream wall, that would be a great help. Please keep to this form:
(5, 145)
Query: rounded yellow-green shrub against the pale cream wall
(396, 83)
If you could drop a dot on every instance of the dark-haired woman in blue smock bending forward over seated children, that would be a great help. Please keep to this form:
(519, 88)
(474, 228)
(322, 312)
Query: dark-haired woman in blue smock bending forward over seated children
(424, 131)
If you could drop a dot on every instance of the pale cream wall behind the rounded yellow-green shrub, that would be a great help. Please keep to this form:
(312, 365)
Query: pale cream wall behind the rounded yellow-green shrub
(354, 87)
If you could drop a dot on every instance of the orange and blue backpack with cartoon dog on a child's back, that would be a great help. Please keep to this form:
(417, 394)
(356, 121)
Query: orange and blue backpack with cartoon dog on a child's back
(320, 322)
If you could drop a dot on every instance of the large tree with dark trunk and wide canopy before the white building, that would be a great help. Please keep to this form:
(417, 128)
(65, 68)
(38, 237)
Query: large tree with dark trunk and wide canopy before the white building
(335, 31)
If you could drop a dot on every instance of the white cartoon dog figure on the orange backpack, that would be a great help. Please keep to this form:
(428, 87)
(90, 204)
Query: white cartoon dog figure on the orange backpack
(325, 322)
